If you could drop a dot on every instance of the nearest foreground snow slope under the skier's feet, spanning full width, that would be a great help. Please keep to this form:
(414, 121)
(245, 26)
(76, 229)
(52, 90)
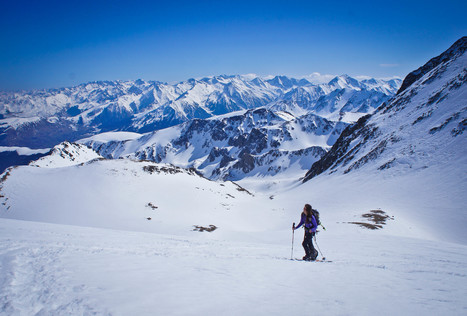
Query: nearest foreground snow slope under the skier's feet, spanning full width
(49, 269)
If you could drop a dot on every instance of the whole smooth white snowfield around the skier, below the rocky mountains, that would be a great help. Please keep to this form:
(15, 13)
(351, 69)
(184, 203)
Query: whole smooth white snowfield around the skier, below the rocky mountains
(76, 240)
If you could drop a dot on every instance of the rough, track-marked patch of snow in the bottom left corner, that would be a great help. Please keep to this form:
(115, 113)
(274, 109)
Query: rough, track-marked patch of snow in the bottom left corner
(34, 282)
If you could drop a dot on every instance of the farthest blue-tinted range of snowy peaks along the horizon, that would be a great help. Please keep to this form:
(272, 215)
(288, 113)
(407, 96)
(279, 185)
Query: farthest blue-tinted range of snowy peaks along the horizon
(44, 118)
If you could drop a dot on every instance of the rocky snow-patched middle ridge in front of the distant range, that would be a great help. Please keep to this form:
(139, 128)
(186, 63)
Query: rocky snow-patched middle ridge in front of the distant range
(257, 142)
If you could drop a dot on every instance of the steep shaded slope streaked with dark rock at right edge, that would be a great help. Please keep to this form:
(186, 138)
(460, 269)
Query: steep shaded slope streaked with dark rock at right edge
(421, 127)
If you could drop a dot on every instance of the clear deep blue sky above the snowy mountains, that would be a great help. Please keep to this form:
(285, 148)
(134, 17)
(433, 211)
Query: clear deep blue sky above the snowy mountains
(46, 44)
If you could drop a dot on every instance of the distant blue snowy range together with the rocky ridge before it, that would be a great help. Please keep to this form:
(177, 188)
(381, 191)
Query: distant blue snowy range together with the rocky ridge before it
(256, 126)
